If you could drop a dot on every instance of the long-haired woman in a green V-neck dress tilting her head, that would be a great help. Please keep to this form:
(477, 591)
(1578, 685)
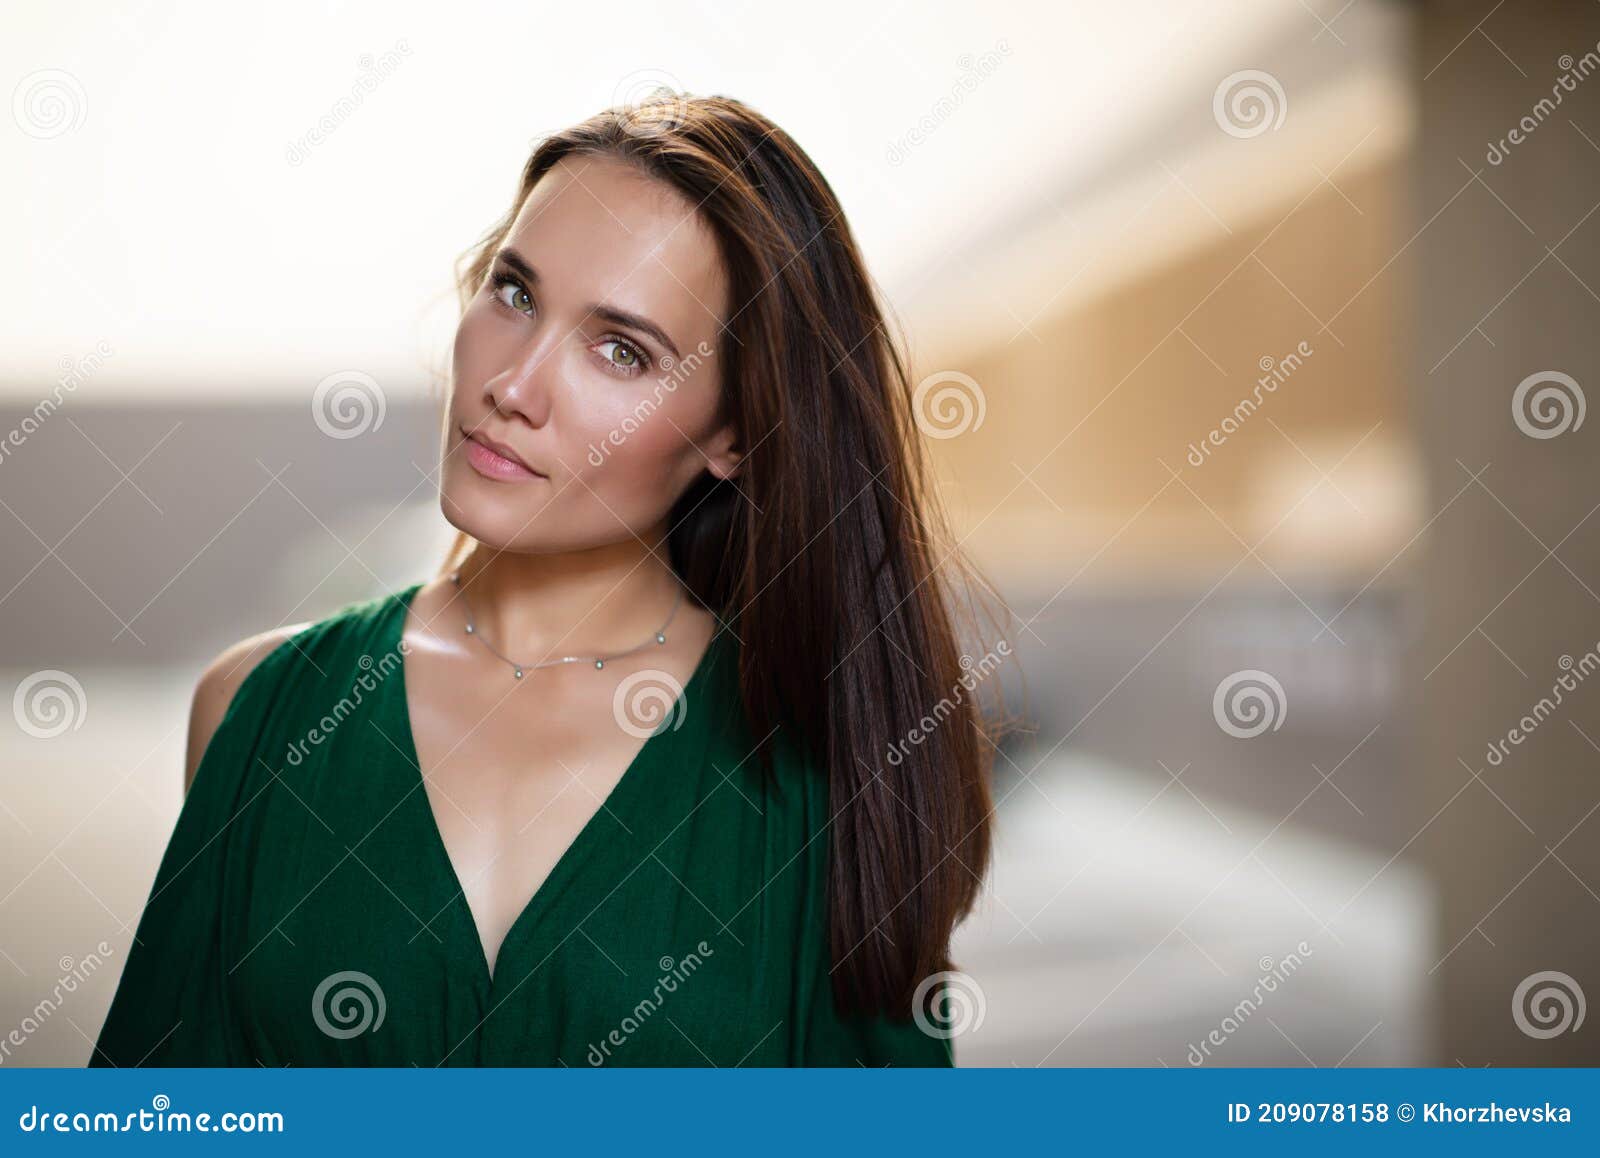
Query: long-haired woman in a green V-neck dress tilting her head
(666, 703)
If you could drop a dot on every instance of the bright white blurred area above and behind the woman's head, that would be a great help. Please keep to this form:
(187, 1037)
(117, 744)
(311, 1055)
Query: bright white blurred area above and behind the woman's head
(170, 225)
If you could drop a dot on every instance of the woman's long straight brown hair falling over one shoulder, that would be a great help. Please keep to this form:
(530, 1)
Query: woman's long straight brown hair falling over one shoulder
(828, 554)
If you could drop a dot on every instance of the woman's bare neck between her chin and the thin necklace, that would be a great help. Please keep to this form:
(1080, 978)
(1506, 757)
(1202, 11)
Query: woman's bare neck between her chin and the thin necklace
(588, 602)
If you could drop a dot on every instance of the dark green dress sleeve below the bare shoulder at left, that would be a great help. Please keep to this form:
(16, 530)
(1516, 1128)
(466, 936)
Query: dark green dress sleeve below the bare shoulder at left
(172, 1004)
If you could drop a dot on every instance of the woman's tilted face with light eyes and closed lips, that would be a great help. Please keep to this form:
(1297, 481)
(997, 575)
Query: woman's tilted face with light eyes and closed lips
(585, 383)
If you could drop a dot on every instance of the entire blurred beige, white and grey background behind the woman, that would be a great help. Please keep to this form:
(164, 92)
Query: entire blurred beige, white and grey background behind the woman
(1255, 340)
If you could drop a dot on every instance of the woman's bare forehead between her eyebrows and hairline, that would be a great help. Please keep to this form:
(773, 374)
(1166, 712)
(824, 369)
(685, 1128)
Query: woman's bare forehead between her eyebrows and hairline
(602, 231)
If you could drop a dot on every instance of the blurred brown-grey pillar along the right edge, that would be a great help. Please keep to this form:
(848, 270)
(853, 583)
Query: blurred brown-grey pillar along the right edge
(1510, 257)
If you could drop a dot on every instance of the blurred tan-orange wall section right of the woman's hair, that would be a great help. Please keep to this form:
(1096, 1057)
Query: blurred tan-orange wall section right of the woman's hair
(1095, 402)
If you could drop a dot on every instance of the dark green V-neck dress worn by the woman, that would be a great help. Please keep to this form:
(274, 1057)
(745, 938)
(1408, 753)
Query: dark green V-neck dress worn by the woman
(306, 911)
